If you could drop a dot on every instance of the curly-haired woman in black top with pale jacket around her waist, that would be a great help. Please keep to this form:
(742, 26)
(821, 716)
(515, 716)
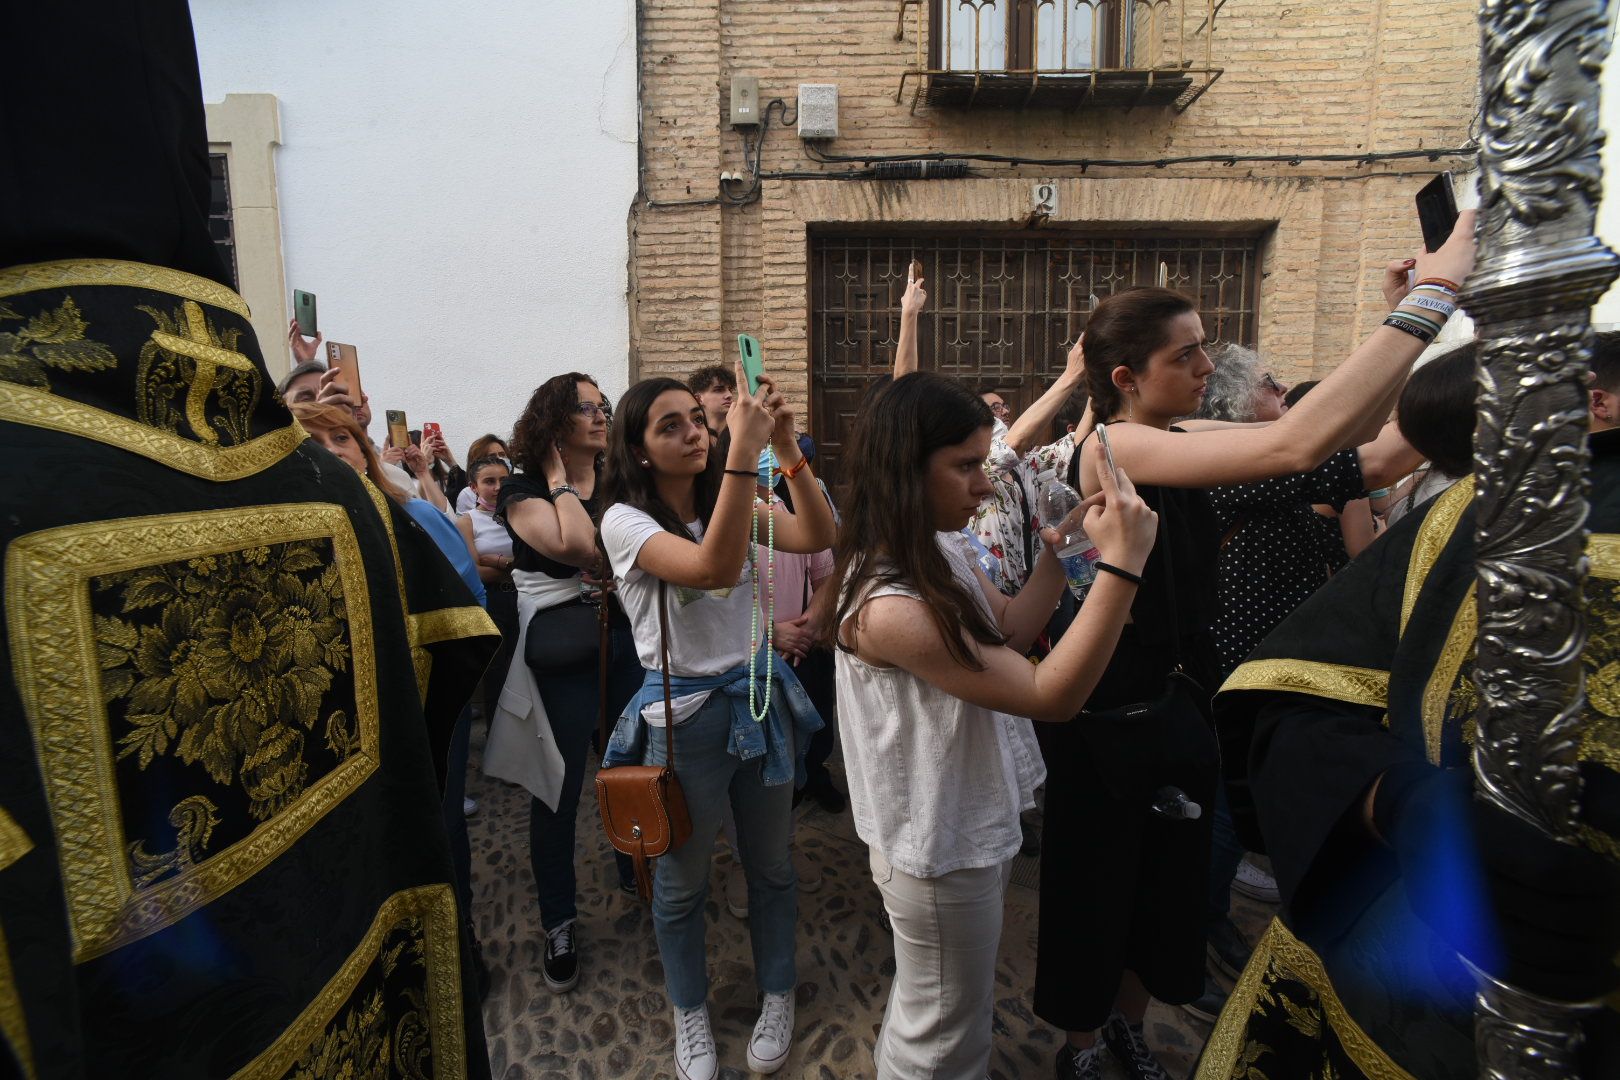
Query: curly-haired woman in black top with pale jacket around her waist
(542, 728)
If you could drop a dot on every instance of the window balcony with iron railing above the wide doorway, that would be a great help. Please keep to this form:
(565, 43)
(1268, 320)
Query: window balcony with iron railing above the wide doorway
(1060, 54)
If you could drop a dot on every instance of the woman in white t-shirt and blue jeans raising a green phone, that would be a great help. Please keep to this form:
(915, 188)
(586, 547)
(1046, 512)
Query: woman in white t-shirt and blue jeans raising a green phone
(681, 516)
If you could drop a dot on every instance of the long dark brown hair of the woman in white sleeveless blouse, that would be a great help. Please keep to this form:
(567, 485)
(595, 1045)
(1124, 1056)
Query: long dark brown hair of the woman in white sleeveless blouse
(887, 537)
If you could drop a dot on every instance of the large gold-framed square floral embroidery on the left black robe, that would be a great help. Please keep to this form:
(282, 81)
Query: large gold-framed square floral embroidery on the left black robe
(95, 623)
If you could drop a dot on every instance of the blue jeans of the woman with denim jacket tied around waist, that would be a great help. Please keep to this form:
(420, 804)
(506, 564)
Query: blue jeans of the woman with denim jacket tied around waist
(710, 776)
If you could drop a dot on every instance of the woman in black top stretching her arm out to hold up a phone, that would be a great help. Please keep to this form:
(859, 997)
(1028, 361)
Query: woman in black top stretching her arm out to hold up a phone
(1122, 914)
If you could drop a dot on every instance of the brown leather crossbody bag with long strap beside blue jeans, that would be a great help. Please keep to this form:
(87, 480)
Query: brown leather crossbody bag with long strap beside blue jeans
(644, 809)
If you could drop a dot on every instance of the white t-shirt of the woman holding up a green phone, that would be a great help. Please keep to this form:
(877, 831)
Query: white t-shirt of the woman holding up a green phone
(709, 631)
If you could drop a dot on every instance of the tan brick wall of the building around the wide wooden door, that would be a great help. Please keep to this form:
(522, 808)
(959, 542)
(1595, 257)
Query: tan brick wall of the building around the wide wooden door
(1344, 77)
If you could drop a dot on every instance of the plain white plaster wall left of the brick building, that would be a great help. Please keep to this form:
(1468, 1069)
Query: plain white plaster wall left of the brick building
(454, 185)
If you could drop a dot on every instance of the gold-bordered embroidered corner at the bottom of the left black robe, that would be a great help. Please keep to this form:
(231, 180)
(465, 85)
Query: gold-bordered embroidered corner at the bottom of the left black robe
(393, 1010)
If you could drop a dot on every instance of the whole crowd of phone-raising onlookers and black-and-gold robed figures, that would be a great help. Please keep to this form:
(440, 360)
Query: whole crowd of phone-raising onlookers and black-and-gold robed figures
(1213, 619)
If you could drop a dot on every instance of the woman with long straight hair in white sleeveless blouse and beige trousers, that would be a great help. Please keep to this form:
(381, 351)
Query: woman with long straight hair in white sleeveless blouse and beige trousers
(932, 695)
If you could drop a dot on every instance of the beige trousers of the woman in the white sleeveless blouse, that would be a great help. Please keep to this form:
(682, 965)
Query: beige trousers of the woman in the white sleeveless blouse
(947, 930)
